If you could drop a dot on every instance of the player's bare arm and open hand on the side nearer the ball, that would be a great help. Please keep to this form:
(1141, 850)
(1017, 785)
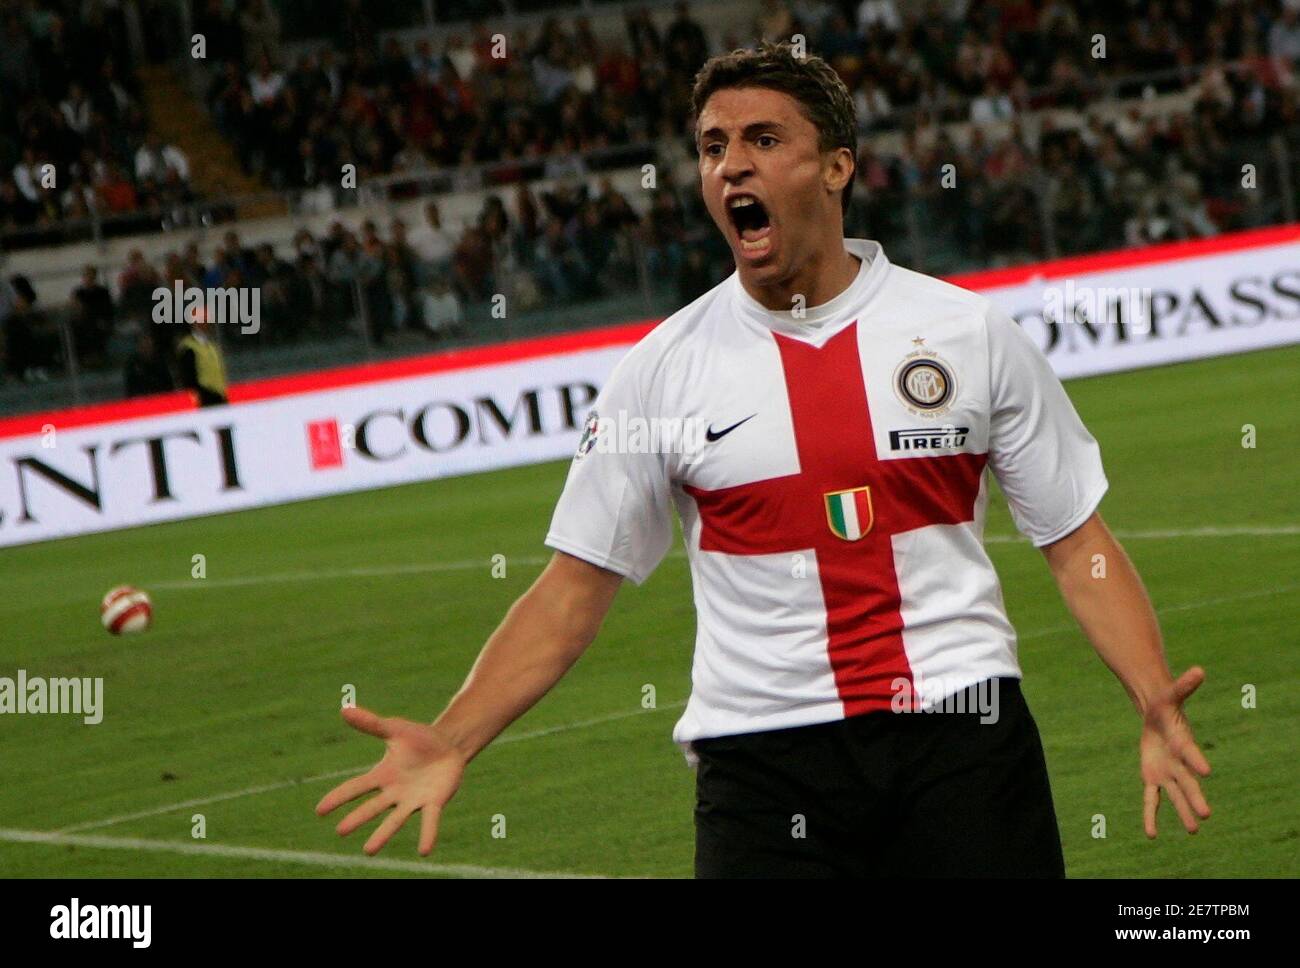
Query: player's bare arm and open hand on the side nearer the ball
(541, 637)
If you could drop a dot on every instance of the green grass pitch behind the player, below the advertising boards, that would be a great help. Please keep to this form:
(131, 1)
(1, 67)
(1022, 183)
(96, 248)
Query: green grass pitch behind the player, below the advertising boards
(239, 685)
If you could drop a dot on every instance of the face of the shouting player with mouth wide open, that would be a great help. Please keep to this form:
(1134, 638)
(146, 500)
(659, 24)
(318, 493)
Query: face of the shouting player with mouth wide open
(765, 180)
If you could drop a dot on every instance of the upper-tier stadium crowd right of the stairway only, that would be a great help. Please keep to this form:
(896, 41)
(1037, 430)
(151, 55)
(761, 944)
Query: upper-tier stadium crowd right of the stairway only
(395, 107)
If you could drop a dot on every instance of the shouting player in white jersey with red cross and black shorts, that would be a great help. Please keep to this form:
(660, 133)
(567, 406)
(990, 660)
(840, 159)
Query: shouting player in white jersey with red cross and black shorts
(833, 513)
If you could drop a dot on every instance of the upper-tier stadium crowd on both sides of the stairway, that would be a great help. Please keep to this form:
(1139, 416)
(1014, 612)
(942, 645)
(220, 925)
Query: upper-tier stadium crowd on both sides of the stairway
(388, 106)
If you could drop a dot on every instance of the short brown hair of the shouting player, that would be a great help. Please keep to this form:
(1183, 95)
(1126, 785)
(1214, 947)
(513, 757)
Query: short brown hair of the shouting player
(808, 80)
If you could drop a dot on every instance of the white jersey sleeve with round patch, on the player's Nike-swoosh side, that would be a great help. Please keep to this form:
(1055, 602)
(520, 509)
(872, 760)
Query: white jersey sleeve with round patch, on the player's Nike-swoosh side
(616, 510)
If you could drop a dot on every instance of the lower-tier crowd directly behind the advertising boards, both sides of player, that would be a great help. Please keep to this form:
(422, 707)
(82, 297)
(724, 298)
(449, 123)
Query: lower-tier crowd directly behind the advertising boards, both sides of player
(1132, 183)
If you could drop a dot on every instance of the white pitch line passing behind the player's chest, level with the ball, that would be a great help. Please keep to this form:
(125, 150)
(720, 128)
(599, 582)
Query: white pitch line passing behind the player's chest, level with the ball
(538, 561)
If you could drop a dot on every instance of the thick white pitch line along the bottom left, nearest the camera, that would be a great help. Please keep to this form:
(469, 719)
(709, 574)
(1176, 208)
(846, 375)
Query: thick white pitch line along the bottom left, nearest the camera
(283, 857)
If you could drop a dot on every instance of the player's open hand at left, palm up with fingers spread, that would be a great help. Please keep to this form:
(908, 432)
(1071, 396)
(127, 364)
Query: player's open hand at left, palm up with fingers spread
(421, 772)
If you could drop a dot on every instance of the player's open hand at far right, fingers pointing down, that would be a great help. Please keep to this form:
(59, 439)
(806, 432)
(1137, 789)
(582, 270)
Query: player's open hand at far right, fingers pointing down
(1171, 757)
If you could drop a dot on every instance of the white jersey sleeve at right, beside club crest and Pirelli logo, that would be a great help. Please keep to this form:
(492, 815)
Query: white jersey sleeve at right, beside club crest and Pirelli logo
(1043, 457)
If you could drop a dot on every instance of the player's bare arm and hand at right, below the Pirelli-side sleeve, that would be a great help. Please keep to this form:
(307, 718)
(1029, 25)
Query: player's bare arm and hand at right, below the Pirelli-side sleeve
(1120, 622)
